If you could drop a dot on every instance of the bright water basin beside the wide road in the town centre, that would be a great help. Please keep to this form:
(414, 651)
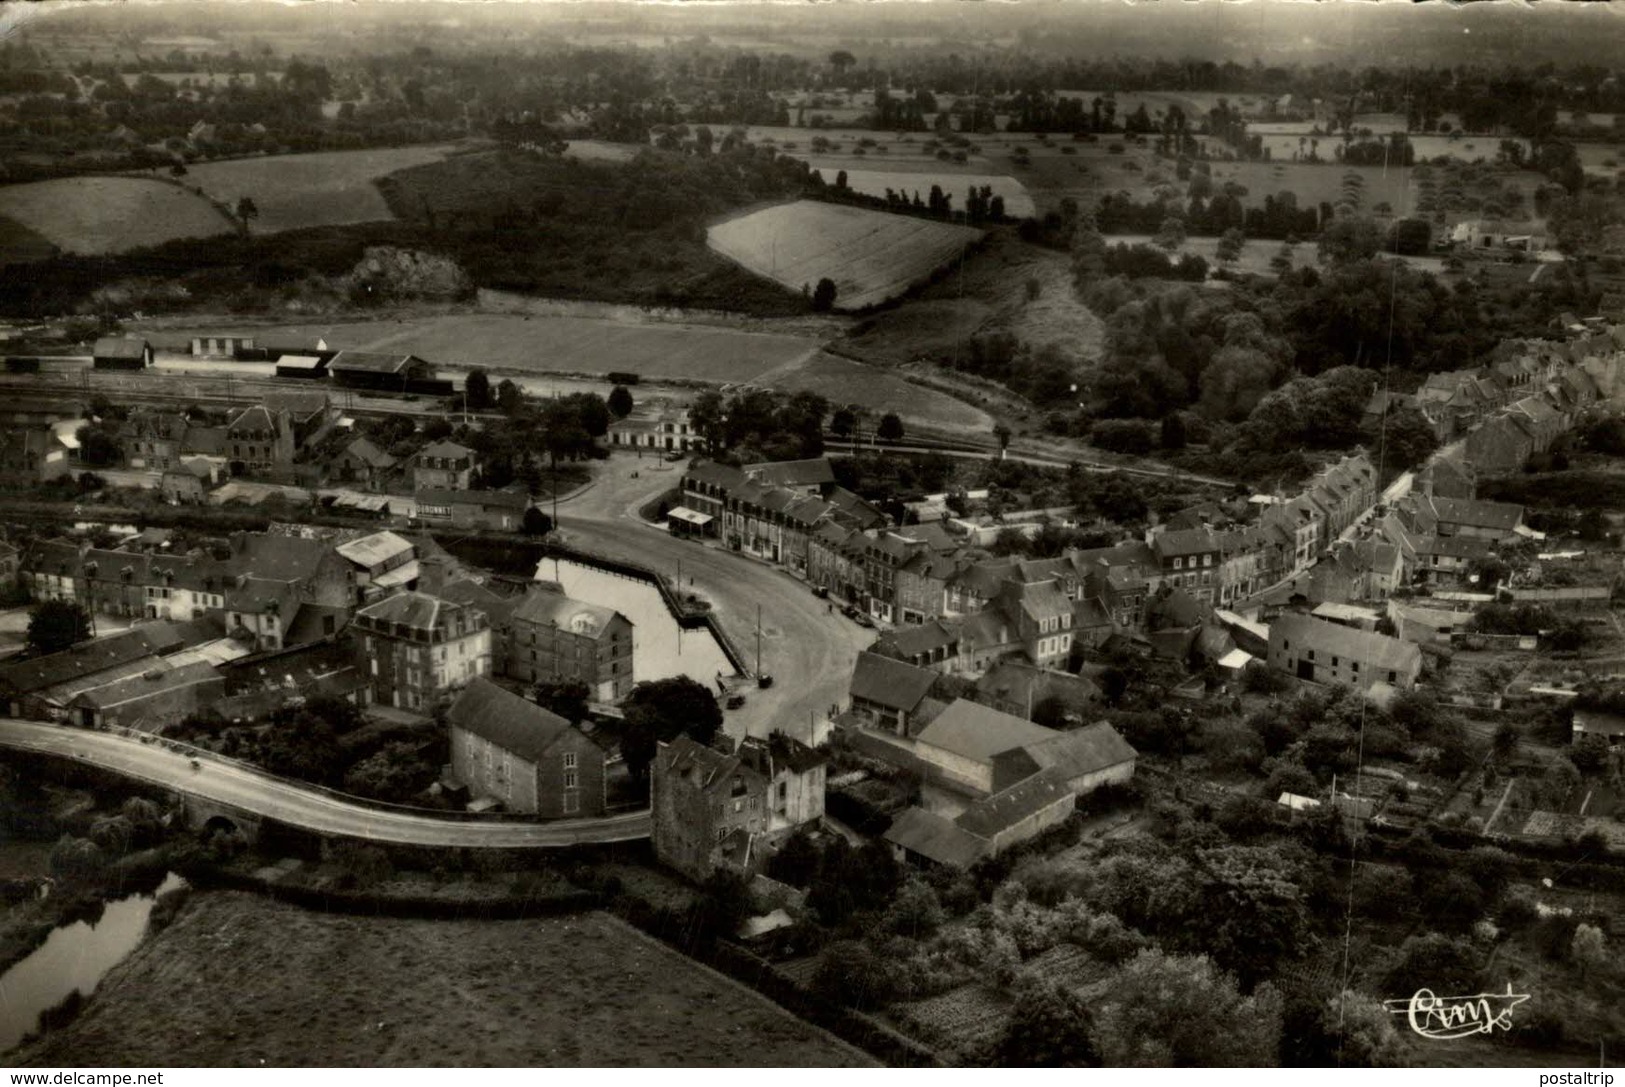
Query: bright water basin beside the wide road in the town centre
(661, 647)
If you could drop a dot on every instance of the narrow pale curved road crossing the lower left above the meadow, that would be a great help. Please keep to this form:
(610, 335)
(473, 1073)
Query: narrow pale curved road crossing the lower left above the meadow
(297, 807)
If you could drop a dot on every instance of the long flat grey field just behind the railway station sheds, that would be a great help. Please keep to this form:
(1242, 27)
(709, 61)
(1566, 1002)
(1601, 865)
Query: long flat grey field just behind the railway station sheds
(573, 345)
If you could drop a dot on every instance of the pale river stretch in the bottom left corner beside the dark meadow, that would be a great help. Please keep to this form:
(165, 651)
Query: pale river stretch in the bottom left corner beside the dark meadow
(74, 958)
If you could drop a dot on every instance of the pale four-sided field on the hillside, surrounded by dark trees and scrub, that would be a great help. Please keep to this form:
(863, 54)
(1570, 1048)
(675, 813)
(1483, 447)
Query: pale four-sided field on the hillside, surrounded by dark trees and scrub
(870, 256)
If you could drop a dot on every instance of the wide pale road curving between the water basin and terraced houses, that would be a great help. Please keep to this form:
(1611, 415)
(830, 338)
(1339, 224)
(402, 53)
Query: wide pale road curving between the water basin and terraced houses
(808, 647)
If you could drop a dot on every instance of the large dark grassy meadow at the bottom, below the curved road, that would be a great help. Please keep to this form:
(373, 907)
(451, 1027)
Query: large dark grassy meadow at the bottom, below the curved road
(240, 981)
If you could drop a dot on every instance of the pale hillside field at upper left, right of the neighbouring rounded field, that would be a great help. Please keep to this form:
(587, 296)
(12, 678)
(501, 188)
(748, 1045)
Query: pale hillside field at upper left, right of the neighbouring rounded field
(321, 189)
